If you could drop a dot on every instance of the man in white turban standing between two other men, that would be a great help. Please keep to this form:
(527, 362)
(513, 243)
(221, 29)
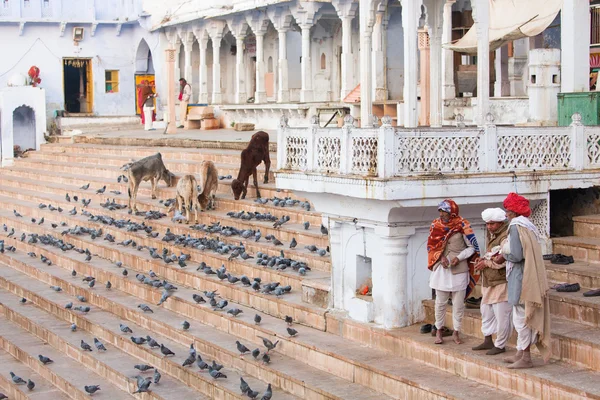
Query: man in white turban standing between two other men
(495, 309)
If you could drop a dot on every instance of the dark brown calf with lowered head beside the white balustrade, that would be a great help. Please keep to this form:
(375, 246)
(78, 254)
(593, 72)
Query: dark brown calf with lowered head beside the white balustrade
(256, 152)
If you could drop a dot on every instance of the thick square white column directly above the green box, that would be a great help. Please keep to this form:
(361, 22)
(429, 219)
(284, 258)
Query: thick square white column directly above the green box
(575, 45)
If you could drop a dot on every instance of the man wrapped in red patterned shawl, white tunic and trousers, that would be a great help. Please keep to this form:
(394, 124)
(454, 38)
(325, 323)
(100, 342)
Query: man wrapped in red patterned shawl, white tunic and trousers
(451, 249)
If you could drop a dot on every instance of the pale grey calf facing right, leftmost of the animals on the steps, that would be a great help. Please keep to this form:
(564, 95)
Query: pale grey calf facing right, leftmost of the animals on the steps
(150, 169)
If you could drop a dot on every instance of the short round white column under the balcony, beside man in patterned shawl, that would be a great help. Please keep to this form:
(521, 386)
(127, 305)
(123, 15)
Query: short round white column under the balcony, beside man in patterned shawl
(390, 277)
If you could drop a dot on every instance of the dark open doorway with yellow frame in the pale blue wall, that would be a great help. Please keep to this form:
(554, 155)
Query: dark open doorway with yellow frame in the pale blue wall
(78, 85)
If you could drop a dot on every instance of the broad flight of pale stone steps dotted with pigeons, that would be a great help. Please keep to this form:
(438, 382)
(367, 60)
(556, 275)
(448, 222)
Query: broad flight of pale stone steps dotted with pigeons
(331, 357)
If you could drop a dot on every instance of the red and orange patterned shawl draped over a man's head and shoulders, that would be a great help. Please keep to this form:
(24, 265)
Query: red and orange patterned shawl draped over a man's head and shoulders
(440, 232)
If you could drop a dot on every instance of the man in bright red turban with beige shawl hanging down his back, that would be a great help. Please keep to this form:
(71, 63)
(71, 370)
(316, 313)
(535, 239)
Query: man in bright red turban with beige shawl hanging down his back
(527, 283)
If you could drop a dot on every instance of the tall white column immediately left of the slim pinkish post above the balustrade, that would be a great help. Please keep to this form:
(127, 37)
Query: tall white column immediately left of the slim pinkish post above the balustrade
(411, 10)
